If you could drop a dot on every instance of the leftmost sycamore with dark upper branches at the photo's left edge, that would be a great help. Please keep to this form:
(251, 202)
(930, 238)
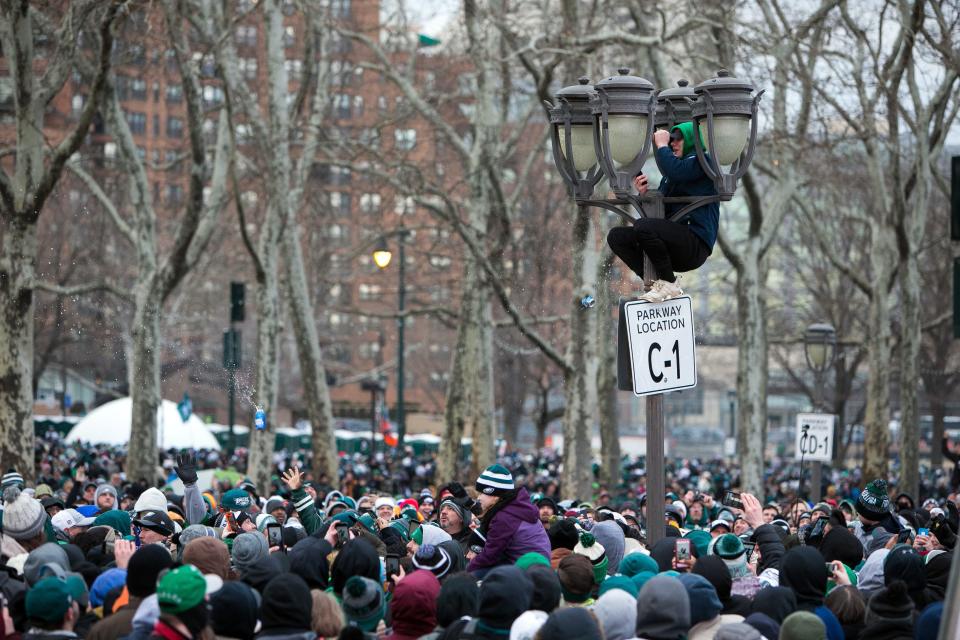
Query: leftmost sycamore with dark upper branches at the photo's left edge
(35, 172)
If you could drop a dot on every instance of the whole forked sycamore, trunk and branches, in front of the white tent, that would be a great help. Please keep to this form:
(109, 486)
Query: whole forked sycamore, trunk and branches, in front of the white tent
(158, 273)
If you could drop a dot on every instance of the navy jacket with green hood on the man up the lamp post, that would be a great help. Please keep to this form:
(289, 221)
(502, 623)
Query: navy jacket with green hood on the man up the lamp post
(685, 177)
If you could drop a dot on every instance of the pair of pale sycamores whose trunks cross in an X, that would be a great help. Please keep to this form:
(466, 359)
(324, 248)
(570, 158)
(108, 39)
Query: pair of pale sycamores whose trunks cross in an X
(284, 179)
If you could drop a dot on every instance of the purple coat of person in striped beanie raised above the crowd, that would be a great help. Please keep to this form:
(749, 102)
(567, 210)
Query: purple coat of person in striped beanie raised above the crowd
(514, 531)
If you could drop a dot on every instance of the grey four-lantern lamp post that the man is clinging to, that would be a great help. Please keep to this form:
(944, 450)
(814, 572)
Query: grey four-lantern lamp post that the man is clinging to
(619, 114)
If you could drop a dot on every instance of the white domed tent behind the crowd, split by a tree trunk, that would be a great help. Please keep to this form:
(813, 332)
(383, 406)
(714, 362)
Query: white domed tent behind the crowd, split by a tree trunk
(110, 424)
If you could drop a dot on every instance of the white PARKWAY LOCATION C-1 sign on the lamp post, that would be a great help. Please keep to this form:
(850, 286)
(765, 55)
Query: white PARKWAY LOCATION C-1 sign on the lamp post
(662, 348)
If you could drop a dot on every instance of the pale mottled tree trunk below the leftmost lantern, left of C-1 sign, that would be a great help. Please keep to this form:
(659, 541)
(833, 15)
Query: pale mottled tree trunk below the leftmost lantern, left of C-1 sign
(580, 386)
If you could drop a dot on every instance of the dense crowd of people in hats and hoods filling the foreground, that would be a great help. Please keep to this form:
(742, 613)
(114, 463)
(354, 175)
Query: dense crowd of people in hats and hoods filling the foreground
(91, 554)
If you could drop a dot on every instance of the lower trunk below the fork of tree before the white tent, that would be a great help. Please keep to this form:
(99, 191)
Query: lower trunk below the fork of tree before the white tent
(145, 395)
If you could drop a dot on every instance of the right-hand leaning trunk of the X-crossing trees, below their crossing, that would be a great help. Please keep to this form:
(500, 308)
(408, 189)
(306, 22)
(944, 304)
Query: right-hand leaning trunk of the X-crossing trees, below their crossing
(312, 372)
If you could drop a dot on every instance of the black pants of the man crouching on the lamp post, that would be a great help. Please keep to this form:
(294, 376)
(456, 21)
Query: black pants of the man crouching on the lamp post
(671, 246)
